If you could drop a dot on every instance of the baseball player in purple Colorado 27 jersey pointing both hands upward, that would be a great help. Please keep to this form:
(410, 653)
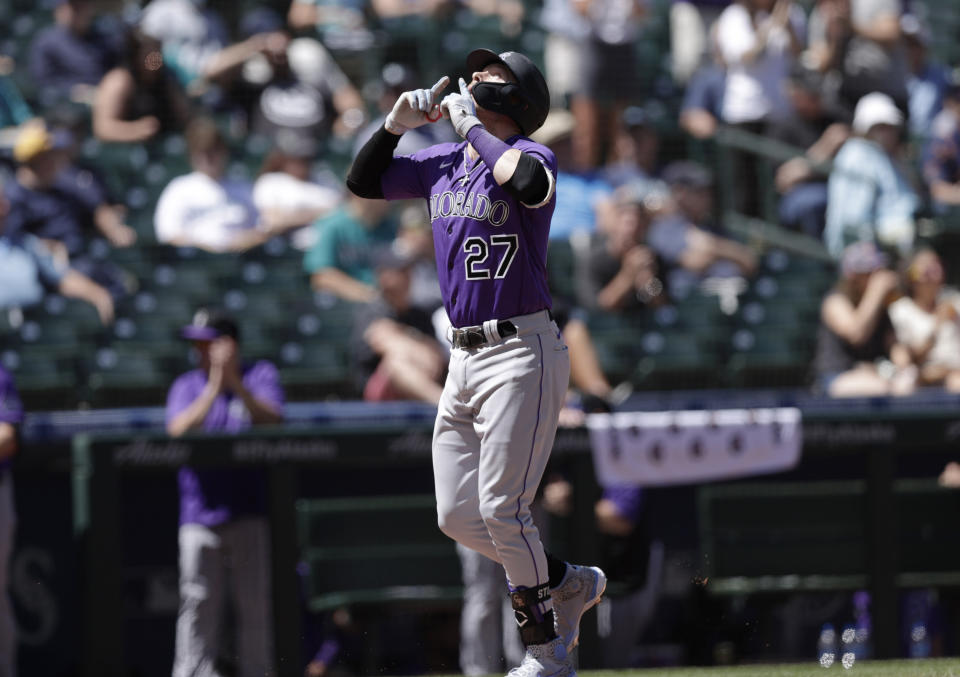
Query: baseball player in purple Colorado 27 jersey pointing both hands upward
(490, 201)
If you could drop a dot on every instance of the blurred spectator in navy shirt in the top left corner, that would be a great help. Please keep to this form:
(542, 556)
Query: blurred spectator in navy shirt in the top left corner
(68, 59)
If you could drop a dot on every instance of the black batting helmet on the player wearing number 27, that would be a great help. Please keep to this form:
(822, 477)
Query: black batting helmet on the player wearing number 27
(526, 102)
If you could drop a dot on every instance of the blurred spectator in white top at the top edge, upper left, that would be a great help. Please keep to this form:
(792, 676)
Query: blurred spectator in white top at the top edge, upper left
(190, 33)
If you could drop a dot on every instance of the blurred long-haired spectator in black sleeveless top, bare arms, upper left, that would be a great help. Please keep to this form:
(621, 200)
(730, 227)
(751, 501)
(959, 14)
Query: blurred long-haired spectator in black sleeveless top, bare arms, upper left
(140, 98)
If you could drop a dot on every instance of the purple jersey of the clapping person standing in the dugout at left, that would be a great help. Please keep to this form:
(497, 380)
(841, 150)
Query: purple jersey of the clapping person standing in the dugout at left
(214, 496)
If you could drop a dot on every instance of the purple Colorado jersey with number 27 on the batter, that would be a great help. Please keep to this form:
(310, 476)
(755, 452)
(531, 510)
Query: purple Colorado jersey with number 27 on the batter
(491, 249)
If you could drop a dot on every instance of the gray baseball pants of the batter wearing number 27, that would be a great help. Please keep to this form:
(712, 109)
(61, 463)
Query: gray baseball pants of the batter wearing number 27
(496, 422)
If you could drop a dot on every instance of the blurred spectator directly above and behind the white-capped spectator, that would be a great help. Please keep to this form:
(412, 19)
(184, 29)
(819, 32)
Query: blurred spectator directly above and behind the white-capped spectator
(858, 43)
